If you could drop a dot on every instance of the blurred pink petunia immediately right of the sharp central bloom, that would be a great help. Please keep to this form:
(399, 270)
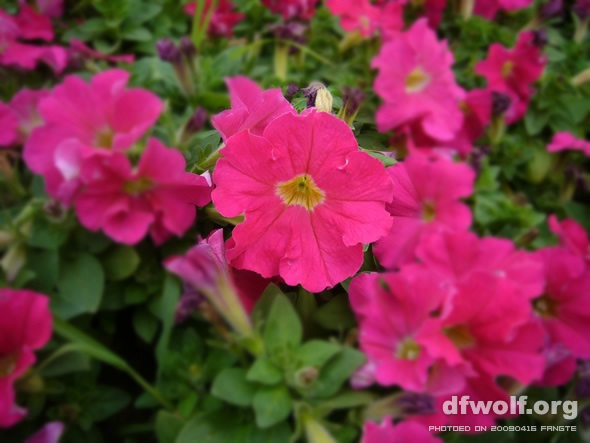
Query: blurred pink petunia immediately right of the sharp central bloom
(426, 197)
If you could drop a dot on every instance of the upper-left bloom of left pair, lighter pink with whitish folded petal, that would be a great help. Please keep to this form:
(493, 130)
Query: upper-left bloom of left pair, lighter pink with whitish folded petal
(110, 117)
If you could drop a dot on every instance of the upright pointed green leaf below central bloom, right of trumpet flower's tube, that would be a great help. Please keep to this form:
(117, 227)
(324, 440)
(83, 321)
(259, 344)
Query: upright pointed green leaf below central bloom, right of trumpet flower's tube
(283, 329)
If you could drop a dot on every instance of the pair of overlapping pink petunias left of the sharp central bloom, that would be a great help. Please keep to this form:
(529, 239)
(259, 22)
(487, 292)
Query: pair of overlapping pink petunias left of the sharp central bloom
(81, 150)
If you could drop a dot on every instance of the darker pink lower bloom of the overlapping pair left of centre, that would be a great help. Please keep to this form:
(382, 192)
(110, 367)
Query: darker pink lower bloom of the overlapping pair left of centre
(126, 203)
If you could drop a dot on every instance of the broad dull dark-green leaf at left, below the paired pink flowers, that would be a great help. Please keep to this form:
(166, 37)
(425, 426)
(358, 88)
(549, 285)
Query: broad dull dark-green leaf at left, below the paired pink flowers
(80, 287)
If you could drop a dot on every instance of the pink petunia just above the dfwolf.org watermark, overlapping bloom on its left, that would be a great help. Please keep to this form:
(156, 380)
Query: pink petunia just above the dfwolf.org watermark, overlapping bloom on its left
(488, 330)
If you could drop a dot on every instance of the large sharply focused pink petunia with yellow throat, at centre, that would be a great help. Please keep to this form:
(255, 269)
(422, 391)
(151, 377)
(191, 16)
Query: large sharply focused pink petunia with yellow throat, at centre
(310, 198)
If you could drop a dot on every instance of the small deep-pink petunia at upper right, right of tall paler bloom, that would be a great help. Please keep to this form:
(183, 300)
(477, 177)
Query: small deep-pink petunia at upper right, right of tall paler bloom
(513, 71)
